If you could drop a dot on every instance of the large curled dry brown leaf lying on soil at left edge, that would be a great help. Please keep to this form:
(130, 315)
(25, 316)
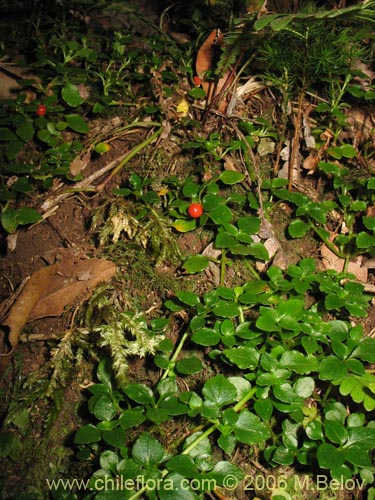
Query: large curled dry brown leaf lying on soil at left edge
(51, 289)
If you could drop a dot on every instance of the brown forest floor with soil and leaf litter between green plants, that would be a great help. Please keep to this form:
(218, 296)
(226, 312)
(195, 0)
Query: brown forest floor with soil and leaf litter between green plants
(67, 237)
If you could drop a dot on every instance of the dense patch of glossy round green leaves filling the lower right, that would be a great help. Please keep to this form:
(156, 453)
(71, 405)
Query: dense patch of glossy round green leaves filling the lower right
(293, 378)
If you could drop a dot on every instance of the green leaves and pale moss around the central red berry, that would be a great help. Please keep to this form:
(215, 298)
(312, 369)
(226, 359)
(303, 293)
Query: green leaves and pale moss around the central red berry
(234, 234)
